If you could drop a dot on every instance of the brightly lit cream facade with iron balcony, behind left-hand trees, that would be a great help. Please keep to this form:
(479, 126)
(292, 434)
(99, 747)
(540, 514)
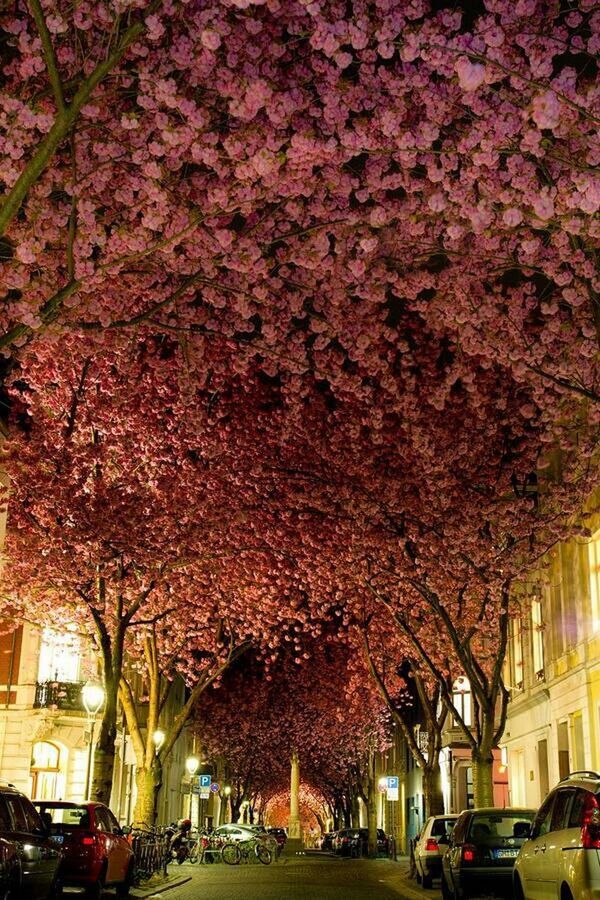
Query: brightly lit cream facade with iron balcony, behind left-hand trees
(45, 733)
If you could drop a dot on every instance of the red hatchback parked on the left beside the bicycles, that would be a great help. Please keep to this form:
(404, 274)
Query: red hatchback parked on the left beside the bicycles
(95, 851)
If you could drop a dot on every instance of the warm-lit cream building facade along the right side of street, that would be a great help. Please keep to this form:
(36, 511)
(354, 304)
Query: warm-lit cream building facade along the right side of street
(553, 724)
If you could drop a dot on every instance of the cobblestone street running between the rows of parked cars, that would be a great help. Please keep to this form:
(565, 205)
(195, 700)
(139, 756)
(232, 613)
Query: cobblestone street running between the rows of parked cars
(300, 879)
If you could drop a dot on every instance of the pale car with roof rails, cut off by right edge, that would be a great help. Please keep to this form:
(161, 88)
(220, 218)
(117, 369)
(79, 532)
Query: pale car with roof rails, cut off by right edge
(561, 859)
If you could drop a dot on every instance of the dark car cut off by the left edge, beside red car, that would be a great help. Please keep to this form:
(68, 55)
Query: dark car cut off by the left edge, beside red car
(29, 859)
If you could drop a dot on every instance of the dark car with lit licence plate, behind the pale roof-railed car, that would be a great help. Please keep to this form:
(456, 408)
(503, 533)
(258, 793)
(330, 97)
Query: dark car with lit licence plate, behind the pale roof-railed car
(482, 850)
